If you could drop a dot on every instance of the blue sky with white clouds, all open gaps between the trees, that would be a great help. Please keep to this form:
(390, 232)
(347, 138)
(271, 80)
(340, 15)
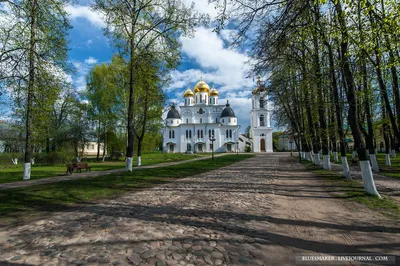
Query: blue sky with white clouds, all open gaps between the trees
(206, 55)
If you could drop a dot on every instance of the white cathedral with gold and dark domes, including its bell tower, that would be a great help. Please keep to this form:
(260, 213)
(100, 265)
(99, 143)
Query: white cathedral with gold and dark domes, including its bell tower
(205, 125)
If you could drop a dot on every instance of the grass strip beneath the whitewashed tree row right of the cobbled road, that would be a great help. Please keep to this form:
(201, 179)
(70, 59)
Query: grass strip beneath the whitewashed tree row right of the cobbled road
(355, 191)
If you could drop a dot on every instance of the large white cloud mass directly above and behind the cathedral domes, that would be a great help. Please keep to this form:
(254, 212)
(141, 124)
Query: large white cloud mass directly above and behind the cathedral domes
(218, 64)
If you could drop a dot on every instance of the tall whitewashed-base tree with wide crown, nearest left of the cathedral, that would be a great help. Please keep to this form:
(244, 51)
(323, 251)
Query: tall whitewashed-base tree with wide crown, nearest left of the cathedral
(139, 26)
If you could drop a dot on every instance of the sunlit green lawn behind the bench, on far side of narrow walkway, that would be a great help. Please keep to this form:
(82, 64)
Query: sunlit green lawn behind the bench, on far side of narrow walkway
(14, 173)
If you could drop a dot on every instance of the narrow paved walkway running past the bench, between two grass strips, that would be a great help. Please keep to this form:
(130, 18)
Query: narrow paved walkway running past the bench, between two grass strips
(92, 174)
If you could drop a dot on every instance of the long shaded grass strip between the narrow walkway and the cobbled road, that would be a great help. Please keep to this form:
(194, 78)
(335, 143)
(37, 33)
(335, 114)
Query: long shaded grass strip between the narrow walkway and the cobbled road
(22, 204)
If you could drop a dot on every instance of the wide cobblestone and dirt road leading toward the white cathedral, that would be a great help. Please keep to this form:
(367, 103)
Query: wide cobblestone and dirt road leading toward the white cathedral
(262, 211)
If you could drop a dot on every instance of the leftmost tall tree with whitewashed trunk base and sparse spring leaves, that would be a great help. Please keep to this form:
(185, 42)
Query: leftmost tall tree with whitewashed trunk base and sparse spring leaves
(34, 52)
